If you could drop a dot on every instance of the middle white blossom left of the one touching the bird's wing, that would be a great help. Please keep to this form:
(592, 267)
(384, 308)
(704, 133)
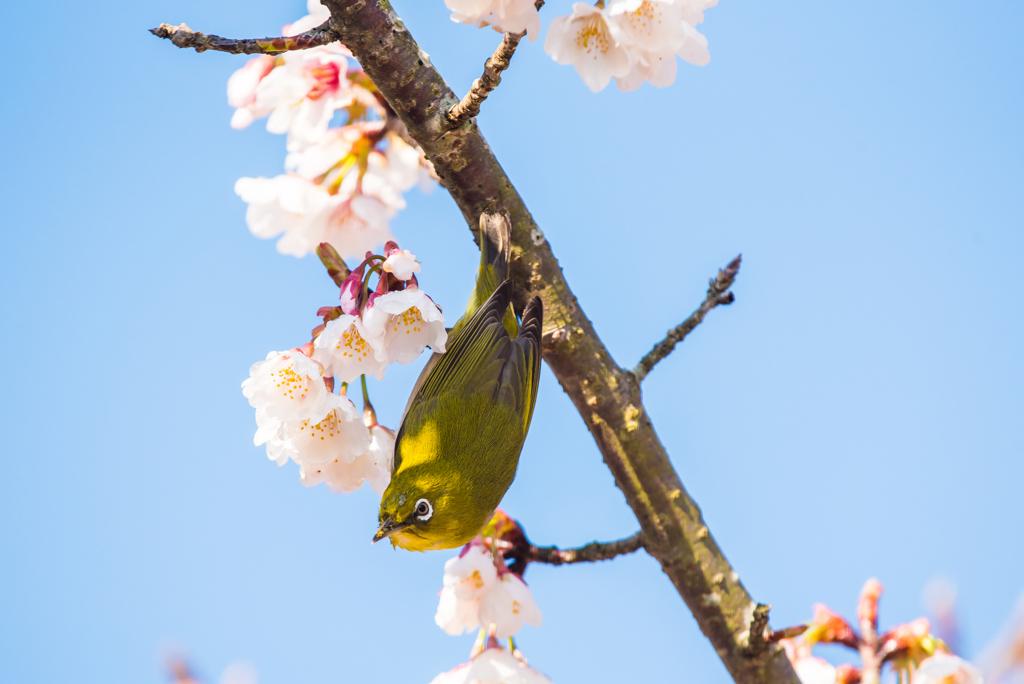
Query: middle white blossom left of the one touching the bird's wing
(347, 350)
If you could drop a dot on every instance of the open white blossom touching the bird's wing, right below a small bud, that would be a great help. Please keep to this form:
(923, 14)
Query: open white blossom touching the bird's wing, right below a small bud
(403, 324)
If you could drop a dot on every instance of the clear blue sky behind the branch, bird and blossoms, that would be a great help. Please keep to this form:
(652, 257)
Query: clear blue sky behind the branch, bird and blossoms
(857, 413)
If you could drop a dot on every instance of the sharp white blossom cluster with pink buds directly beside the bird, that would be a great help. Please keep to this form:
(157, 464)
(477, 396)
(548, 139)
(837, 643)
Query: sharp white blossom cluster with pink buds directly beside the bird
(298, 415)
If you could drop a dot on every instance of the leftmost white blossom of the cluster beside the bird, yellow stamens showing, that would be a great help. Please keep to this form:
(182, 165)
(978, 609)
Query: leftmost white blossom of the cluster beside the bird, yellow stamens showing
(287, 387)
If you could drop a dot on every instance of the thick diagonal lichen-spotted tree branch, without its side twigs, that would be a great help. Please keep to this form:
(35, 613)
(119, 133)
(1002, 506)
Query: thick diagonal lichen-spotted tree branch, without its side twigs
(608, 397)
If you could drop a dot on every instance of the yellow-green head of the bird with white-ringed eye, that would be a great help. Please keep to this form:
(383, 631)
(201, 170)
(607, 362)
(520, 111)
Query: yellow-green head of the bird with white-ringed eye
(419, 515)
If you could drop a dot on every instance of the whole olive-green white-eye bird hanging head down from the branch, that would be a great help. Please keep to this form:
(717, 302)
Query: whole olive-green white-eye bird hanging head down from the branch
(458, 448)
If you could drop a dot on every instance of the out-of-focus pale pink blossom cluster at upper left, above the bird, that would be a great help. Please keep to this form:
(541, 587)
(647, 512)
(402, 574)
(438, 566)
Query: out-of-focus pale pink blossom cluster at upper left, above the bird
(343, 185)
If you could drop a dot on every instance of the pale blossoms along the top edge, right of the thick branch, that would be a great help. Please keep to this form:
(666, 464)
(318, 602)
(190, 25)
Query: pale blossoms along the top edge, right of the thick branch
(631, 41)
